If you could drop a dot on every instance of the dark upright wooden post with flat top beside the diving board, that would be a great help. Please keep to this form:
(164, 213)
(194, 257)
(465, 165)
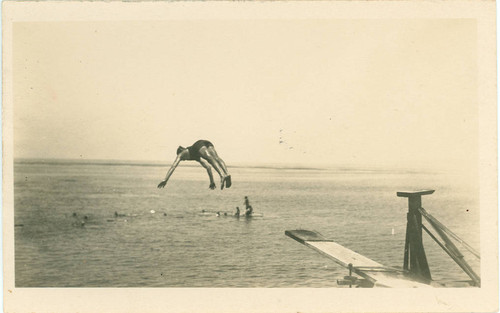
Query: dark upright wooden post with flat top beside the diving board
(415, 260)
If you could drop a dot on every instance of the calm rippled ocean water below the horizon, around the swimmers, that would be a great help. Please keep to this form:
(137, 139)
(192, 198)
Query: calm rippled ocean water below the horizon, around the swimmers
(176, 246)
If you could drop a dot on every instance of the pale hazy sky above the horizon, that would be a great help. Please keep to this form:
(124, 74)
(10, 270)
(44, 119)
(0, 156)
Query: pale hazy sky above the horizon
(361, 92)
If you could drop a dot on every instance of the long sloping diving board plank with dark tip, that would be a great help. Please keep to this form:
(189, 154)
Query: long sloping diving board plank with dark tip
(365, 267)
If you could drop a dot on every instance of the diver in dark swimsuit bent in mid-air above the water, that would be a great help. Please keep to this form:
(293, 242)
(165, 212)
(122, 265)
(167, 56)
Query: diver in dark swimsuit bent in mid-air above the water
(204, 152)
